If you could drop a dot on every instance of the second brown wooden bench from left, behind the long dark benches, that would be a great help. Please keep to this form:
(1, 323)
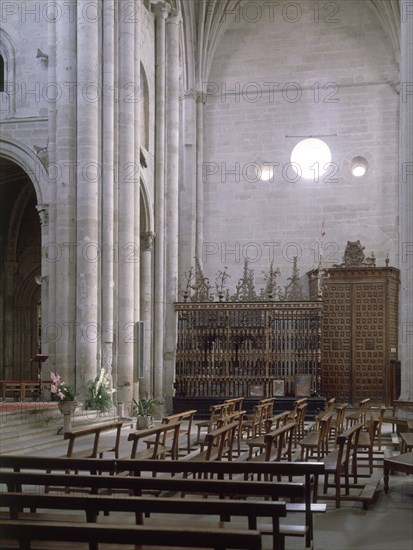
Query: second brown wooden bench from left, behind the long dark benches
(165, 442)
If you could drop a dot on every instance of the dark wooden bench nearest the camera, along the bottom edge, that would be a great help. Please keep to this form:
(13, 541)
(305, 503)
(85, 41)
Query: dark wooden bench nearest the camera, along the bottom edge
(26, 532)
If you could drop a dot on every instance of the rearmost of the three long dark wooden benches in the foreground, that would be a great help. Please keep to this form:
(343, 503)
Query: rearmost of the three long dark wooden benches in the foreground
(308, 471)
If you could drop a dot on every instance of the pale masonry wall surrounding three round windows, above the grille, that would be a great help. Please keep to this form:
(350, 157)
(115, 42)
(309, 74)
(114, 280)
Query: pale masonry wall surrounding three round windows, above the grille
(283, 73)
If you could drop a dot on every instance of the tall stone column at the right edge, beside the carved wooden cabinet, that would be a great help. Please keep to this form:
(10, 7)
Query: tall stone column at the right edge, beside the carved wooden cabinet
(406, 200)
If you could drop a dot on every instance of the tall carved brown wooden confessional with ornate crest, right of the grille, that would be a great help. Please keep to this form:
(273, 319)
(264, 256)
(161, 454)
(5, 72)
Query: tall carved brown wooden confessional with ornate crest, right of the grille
(359, 329)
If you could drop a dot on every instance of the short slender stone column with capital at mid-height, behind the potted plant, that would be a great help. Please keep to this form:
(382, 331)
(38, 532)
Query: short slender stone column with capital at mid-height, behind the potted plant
(147, 243)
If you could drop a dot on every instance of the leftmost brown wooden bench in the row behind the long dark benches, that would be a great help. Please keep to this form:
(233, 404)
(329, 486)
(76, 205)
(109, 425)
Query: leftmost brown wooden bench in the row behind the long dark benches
(95, 430)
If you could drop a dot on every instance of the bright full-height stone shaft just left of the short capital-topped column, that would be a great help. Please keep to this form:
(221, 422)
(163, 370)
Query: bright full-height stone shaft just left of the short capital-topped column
(128, 180)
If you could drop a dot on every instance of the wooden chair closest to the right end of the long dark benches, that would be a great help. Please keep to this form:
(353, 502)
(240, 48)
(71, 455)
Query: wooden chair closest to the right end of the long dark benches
(337, 463)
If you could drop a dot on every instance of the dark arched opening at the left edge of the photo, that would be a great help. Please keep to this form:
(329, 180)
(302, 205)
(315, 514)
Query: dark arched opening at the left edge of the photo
(20, 253)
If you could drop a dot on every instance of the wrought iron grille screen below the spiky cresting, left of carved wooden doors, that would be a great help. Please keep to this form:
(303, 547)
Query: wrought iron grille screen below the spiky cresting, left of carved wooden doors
(230, 350)
